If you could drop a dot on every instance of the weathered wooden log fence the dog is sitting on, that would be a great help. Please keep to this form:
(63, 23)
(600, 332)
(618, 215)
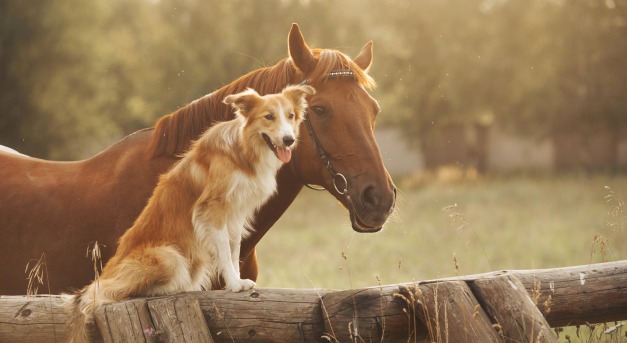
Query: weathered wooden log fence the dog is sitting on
(519, 305)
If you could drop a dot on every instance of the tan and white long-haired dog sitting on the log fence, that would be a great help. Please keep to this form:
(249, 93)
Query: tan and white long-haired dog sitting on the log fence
(189, 234)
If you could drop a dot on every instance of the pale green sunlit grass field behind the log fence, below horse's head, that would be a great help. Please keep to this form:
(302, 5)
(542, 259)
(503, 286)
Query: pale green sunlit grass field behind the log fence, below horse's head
(489, 224)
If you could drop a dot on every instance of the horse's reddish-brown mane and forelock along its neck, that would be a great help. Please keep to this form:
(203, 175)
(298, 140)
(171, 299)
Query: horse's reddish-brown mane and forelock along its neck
(174, 132)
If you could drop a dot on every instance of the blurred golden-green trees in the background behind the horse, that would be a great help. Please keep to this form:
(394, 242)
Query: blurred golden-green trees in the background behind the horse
(77, 75)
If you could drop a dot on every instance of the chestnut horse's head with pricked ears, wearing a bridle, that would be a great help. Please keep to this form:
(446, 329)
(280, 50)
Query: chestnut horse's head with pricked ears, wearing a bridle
(338, 150)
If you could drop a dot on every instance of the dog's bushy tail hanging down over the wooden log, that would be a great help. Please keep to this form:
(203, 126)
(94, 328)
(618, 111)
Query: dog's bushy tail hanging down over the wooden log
(81, 307)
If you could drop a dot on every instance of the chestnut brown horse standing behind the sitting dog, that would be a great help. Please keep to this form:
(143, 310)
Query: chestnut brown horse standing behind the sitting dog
(60, 208)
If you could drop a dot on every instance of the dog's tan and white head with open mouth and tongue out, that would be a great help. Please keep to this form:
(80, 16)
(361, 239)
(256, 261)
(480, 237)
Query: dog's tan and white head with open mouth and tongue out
(275, 118)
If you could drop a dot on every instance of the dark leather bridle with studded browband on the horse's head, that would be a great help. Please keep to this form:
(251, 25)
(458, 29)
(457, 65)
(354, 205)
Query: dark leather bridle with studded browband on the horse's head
(339, 180)
